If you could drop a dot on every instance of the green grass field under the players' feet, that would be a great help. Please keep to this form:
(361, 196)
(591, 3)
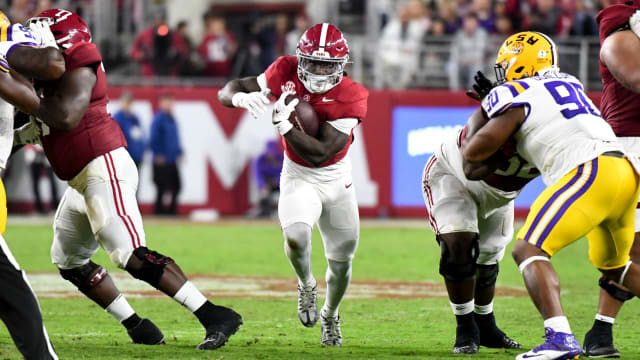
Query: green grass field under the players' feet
(372, 328)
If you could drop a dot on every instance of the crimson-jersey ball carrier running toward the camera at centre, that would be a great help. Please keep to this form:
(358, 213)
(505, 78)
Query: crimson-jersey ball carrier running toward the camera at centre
(315, 184)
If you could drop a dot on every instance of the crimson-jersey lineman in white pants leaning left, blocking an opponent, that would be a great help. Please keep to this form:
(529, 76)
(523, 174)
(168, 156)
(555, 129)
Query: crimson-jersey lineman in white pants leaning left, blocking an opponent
(86, 147)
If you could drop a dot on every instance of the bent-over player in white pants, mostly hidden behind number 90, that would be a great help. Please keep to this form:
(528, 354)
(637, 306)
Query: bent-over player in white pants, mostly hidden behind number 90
(473, 222)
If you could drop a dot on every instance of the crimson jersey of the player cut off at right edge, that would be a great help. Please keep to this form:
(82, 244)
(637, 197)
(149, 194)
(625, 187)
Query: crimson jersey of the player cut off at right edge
(620, 106)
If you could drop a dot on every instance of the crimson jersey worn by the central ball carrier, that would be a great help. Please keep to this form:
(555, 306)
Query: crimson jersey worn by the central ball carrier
(346, 100)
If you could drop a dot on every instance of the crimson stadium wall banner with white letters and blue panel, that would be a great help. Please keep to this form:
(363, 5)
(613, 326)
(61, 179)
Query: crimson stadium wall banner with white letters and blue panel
(401, 130)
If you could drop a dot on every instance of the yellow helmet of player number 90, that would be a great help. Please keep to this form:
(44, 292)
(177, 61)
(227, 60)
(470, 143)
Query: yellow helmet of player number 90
(524, 54)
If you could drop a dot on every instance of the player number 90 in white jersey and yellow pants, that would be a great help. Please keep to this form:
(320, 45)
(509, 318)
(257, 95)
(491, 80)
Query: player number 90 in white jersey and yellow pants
(592, 187)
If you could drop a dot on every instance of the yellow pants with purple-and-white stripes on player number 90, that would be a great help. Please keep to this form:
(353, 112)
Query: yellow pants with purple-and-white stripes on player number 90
(597, 199)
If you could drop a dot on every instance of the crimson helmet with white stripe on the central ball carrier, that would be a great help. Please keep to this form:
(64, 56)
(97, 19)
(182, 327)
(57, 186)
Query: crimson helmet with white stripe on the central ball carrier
(322, 55)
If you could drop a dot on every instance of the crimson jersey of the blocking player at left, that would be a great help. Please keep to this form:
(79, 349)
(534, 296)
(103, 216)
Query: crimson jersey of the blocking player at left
(96, 134)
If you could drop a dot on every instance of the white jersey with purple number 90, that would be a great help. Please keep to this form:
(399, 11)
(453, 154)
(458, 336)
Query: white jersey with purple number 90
(562, 128)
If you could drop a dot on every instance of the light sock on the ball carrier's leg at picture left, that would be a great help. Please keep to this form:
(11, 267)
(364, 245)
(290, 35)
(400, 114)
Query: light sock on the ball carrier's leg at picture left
(300, 255)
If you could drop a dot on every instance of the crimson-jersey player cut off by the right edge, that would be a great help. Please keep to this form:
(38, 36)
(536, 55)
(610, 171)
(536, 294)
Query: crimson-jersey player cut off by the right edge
(619, 27)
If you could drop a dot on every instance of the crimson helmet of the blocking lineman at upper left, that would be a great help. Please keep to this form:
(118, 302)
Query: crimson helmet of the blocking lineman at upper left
(67, 27)
